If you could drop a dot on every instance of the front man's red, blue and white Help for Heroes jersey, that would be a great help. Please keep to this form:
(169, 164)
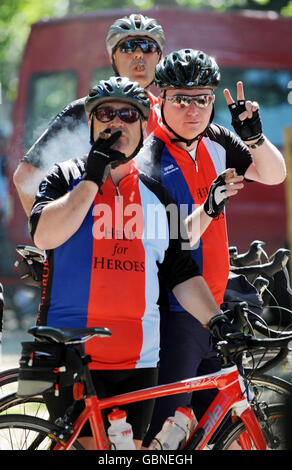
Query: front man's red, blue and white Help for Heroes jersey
(106, 274)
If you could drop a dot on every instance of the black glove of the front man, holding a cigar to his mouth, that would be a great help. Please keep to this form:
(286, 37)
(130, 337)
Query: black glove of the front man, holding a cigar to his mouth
(101, 158)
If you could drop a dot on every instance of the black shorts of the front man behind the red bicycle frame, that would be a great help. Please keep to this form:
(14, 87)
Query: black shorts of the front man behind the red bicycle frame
(109, 383)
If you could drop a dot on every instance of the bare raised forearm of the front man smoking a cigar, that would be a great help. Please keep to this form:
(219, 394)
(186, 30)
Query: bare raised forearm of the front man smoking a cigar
(60, 219)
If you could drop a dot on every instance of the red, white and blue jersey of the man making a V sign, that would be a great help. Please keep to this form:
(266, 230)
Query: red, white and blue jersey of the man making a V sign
(188, 180)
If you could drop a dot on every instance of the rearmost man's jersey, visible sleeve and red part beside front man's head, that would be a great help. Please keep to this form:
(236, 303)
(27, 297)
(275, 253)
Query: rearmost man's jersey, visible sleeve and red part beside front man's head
(67, 135)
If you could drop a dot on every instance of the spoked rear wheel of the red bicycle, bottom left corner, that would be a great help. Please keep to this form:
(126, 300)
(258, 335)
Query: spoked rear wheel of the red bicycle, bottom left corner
(36, 432)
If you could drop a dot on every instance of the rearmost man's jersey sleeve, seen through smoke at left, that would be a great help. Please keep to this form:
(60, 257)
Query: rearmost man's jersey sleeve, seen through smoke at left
(51, 144)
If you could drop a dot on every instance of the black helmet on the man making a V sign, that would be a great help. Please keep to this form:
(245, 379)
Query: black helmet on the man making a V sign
(187, 68)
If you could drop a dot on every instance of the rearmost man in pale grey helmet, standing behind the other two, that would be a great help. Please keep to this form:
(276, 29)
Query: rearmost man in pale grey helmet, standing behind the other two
(134, 44)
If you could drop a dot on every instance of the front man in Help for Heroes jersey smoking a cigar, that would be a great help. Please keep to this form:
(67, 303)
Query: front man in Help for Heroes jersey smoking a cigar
(102, 266)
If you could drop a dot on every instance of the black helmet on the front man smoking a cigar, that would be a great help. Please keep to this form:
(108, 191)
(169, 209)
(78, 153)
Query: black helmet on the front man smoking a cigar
(118, 89)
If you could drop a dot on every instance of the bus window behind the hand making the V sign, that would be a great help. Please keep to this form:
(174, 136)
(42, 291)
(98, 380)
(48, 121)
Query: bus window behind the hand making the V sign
(270, 88)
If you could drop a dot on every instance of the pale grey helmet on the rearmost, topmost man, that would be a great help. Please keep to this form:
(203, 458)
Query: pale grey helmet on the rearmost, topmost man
(134, 25)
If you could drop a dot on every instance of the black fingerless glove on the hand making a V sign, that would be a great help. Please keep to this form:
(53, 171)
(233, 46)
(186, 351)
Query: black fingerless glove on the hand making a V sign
(249, 128)
